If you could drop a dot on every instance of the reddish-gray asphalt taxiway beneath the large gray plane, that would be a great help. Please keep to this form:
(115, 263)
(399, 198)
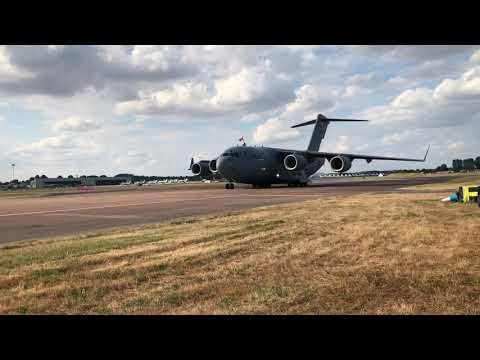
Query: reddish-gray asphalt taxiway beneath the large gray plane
(69, 214)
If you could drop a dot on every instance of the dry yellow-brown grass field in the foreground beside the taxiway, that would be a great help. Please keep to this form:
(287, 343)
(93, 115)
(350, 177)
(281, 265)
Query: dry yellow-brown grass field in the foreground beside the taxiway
(380, 254)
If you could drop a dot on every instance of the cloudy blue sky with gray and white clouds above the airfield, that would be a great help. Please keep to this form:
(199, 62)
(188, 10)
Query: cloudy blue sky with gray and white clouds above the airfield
(85, 110)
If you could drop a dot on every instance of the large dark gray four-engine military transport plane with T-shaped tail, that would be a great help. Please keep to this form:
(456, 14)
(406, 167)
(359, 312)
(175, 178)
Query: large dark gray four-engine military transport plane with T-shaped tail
(264, 166)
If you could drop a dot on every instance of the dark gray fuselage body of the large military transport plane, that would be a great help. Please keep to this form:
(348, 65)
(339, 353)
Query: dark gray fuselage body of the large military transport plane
(262, 165)
